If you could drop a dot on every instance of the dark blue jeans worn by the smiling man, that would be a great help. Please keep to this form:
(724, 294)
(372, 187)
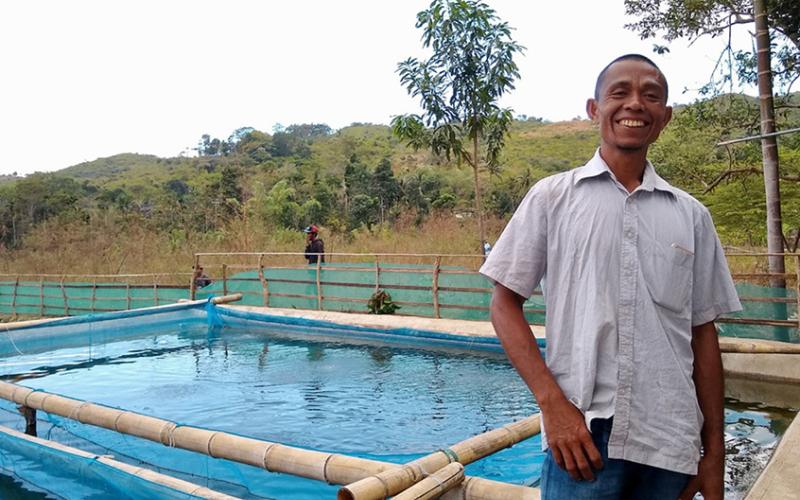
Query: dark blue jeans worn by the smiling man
(618, 479)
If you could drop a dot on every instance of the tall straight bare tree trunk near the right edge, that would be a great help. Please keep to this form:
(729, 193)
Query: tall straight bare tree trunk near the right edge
(769, 147)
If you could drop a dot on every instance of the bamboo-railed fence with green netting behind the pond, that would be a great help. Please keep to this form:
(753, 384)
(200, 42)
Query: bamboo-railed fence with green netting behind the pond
(32, 292)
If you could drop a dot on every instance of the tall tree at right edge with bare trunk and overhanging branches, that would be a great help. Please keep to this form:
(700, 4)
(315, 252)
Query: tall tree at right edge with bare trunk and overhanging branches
(692, 20)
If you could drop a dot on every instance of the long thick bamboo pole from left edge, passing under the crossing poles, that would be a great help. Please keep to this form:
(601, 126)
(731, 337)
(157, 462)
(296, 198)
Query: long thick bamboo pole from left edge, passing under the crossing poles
(328, 467)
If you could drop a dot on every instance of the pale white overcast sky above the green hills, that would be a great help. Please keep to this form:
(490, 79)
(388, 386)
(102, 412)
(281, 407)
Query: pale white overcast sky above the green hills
(86, 79)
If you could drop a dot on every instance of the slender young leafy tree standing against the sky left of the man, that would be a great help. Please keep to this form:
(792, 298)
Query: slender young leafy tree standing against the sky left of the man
(471, 67)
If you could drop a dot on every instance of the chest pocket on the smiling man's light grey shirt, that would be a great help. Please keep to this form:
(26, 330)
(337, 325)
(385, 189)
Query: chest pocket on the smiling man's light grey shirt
(667, 271)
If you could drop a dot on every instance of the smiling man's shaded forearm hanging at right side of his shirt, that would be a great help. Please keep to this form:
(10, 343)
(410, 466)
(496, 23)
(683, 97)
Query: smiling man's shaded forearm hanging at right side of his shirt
(709, 384)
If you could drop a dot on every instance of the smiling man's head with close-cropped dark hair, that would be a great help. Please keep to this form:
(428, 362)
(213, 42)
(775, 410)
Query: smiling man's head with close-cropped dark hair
(631, 107)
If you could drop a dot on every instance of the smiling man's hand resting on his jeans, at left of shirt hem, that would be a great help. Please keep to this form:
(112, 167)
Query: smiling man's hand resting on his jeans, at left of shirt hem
(569, 440)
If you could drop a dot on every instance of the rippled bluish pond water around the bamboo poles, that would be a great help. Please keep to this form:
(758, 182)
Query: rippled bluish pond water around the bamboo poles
(365, 398)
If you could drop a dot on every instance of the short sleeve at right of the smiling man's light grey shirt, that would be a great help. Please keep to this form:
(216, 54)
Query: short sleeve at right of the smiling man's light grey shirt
(713, 292)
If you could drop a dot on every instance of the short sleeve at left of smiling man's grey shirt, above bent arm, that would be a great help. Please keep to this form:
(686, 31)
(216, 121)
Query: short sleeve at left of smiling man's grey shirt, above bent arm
(519, 258)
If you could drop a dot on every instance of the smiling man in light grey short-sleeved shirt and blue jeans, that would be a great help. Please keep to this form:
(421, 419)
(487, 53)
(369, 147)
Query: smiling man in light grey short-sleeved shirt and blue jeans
(634, 275)
